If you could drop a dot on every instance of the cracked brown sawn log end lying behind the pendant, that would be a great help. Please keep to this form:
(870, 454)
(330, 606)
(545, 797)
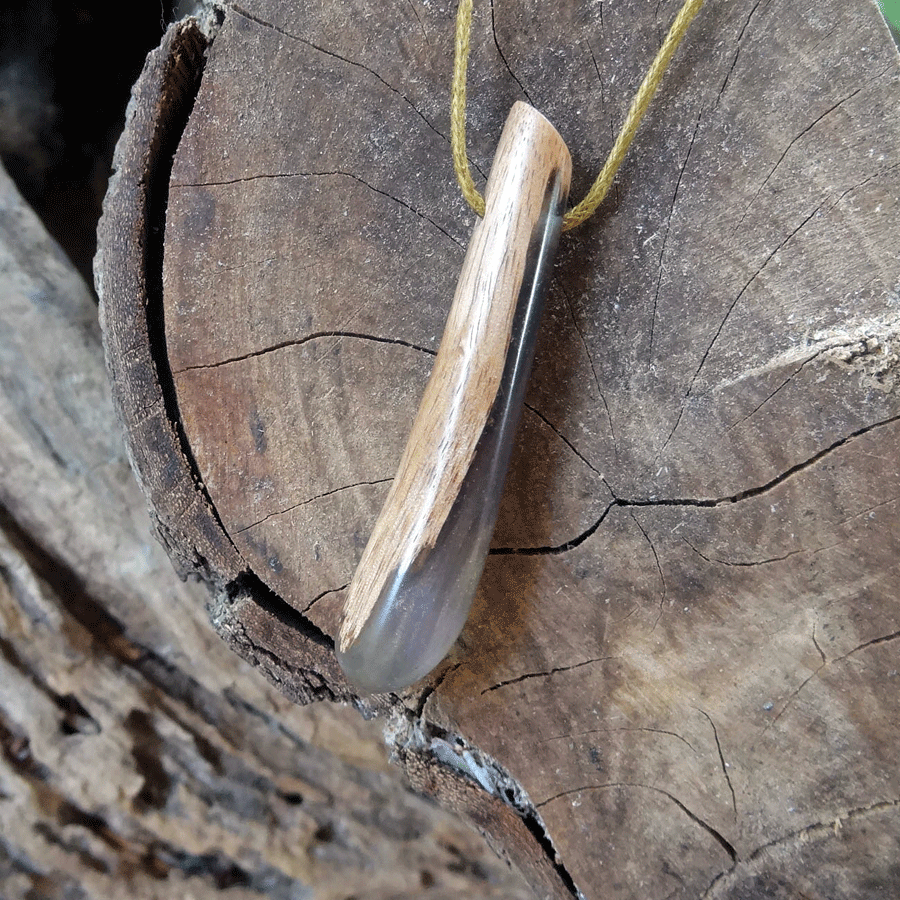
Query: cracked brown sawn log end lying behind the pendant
(683, 657)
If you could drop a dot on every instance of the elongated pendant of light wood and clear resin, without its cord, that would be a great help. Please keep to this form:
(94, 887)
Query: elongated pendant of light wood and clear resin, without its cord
(419, 572)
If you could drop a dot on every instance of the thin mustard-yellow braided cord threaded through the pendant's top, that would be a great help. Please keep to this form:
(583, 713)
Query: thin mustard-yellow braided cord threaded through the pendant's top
(594, 197)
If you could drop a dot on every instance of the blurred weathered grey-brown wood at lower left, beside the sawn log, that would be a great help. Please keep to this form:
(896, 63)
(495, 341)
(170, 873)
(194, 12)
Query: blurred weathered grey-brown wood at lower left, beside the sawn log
(140, 757)
